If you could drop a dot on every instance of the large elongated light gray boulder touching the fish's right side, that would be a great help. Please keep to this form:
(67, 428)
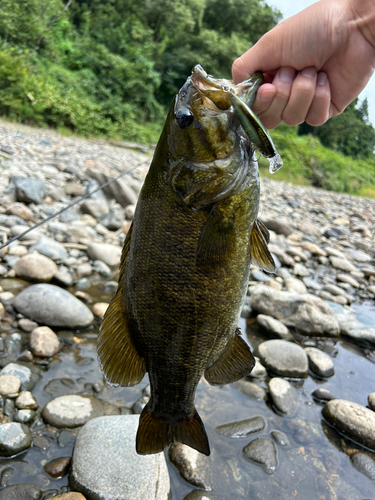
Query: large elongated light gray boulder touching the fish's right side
(306, 313)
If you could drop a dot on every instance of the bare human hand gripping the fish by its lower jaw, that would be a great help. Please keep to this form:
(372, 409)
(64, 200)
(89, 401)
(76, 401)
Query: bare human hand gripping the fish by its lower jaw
(314, 63)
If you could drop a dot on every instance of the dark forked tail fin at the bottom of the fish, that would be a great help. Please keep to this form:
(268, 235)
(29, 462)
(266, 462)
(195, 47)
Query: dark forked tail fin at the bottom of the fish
(156, 433)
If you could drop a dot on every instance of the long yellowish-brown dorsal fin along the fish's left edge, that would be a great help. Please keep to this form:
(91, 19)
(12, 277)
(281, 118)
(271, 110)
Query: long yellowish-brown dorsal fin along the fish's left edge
(120, 362)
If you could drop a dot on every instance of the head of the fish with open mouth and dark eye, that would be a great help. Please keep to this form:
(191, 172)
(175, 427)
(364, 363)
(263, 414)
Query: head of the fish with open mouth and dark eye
(209, 154)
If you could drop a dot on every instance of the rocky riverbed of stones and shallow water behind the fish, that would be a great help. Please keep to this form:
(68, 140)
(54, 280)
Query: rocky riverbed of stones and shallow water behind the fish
(300, 426)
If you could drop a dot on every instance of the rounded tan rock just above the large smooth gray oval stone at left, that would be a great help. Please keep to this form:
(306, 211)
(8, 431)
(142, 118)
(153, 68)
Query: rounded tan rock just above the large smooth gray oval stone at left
(35, 267)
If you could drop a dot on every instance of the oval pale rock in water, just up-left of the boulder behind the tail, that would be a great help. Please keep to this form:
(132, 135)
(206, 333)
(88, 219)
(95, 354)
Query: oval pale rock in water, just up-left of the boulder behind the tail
(71, 411)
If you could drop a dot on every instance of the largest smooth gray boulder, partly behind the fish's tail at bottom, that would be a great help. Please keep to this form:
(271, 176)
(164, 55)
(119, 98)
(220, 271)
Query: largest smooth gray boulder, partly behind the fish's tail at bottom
(107, 445)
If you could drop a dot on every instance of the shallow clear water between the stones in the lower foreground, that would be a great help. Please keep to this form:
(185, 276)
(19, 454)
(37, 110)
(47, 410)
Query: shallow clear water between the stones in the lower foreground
(315, 465)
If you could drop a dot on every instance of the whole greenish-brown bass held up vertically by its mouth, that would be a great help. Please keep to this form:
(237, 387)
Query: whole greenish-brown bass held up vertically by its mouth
(185, 264)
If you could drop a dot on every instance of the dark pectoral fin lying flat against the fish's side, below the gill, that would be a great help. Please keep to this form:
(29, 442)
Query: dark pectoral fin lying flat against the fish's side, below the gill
(217, 240)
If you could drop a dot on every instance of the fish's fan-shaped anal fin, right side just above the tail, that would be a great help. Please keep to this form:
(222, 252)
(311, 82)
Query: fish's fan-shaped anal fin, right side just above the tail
(236, 362)
